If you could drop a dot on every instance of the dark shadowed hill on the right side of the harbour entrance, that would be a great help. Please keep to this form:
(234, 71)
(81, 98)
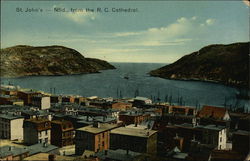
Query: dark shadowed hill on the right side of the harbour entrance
(227, 64)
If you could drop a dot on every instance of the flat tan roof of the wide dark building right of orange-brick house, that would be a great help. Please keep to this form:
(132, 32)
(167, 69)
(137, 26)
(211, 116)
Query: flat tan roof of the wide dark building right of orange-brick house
(139, 132)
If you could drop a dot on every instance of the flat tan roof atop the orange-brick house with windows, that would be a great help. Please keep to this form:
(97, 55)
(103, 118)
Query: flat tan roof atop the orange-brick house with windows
(96, 130)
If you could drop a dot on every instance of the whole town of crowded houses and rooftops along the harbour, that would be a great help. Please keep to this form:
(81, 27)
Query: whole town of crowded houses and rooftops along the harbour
(44, 126)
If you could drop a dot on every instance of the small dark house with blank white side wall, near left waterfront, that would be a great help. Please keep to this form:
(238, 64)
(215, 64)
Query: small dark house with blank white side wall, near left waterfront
(41, 101)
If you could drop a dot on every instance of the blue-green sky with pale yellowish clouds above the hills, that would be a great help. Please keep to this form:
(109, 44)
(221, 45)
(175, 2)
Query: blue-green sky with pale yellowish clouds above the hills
(158, 32)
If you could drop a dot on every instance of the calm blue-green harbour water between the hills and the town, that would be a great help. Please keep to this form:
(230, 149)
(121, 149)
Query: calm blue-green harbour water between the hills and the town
(111, 83)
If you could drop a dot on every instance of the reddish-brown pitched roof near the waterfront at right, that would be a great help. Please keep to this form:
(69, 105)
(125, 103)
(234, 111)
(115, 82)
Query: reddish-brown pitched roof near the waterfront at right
(212, 111)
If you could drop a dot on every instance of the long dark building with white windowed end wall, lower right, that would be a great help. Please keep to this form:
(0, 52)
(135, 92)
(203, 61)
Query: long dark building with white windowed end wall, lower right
(211, 135)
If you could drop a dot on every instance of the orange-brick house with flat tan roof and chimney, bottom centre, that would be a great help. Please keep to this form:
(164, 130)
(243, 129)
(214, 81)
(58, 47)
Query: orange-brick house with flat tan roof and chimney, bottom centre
(94, 137)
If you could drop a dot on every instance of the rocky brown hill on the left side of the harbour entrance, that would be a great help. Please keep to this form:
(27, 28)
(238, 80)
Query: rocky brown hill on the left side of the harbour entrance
(25, 60)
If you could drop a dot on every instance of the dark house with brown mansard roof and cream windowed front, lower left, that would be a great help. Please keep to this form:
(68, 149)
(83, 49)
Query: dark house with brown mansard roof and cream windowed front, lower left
(36, 130)
